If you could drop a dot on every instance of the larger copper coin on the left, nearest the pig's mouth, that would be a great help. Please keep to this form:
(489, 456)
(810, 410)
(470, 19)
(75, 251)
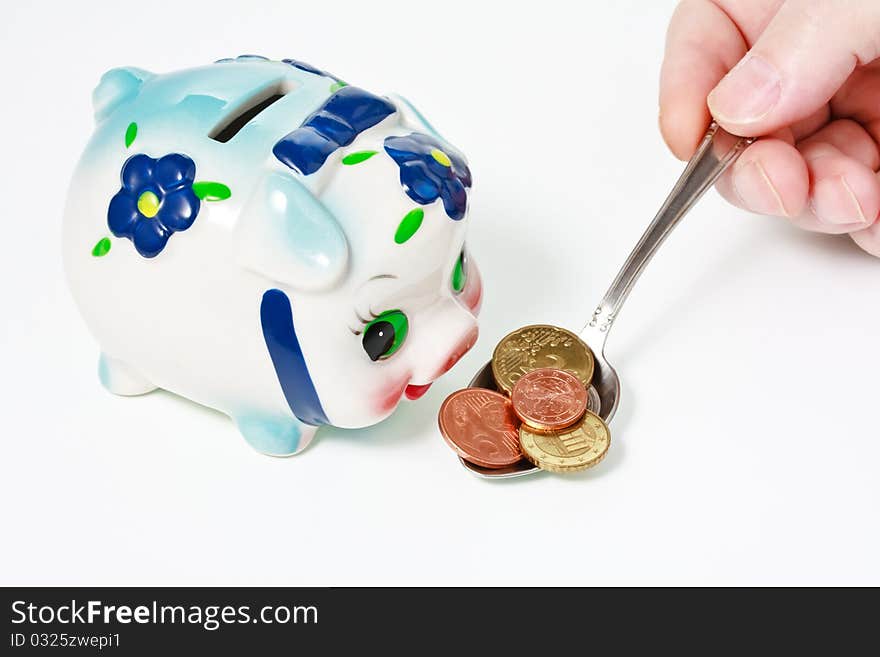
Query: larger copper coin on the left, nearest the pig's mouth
(481, 427)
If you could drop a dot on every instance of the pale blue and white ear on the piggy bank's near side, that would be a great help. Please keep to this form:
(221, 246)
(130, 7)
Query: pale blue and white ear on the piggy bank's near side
(288, 235)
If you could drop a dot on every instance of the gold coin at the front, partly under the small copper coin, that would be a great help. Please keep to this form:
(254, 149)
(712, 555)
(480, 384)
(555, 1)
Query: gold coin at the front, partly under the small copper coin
(577, 448)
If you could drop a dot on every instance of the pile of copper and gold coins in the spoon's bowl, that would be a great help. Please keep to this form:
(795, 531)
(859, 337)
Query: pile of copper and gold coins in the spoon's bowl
(542, 411)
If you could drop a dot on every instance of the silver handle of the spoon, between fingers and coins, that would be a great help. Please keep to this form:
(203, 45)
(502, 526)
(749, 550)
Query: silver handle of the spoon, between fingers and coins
(718, 150)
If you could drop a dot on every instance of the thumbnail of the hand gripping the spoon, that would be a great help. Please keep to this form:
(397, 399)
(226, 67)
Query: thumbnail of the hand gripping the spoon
(747, 93)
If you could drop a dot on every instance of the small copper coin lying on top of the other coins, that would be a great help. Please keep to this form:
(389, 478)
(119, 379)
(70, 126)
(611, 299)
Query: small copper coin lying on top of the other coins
(548, 399)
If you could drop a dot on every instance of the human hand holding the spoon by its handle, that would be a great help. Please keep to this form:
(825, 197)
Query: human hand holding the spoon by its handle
(804, 75)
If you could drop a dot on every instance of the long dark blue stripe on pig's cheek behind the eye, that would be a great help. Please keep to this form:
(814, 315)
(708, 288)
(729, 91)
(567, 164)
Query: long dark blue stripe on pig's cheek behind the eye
(276, 317)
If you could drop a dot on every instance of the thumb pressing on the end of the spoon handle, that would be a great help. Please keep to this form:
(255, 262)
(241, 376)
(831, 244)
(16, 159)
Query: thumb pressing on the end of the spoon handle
(802, 58)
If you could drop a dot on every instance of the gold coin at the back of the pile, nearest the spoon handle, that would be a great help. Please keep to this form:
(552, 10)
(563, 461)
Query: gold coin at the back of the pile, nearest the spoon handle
(533, 347)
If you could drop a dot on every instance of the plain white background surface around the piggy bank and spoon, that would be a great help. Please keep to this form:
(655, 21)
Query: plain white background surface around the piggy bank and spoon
(746, 447)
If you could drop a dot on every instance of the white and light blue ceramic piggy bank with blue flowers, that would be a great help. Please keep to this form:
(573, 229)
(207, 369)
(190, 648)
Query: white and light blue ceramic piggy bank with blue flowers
(263, 239)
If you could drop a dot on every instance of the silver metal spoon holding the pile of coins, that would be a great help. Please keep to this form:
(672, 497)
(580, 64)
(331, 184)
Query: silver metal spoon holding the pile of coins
(718, 150)
